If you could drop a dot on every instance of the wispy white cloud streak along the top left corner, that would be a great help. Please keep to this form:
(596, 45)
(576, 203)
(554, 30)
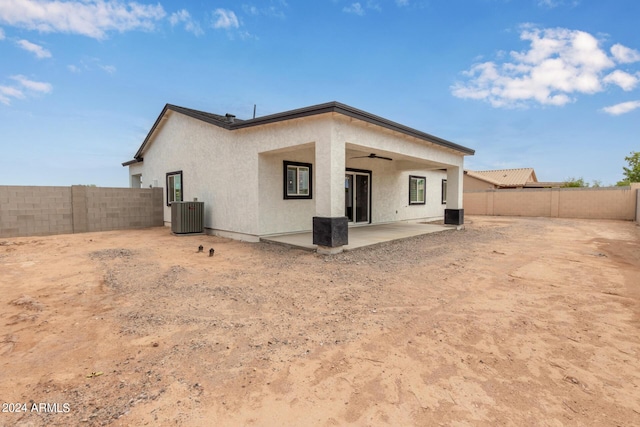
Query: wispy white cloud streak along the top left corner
(92, 18)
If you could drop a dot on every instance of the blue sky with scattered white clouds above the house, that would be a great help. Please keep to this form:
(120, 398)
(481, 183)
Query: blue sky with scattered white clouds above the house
(548, 84)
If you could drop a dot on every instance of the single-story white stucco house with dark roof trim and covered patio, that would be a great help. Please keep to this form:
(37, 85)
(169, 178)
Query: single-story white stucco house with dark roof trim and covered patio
(322, 168)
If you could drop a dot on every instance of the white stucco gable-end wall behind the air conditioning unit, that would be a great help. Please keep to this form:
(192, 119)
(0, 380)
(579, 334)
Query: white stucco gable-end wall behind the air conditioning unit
(214, 168)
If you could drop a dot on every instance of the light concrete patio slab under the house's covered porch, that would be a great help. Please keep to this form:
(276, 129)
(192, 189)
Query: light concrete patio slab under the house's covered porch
(363, 236)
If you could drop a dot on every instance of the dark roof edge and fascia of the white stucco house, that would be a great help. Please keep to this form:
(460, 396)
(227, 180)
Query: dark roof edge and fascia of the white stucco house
(230, 123)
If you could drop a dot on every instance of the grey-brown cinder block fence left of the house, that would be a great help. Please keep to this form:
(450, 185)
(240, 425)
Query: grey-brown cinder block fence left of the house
(38, 211)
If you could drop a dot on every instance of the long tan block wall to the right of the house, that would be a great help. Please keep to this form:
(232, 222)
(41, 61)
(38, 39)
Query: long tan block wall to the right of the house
(591, 203)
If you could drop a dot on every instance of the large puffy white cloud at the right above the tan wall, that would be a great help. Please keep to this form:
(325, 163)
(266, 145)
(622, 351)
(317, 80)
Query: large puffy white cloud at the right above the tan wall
(558, 64)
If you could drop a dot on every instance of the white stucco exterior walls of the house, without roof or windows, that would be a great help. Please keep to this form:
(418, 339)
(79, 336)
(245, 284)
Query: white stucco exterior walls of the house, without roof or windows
(239, 174)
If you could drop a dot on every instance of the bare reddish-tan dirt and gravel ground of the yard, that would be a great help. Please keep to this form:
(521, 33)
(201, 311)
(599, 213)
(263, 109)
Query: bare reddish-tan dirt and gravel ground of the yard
(513, 321)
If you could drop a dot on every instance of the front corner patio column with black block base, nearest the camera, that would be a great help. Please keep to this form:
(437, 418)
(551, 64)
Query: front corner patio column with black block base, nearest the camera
(330, 231)
